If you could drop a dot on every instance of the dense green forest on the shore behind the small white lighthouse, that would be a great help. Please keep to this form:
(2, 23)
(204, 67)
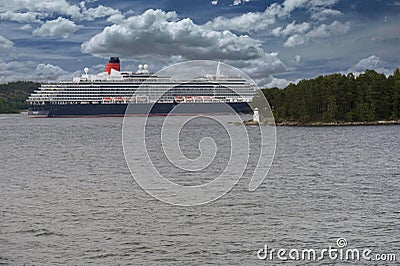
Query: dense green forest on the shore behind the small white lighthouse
(338, 98)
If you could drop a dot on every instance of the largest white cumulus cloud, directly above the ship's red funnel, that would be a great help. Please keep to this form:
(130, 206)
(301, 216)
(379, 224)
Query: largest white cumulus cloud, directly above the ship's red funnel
(157, 33)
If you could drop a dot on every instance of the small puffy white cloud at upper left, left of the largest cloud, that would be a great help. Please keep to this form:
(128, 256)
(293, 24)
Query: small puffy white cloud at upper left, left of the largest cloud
(59, 27)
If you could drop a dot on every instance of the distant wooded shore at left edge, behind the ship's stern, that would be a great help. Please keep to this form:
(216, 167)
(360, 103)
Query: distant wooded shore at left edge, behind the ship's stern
(14, 94)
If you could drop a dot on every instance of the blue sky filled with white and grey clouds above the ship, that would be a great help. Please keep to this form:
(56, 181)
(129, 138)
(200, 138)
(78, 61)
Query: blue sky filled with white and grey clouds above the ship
(274, 42)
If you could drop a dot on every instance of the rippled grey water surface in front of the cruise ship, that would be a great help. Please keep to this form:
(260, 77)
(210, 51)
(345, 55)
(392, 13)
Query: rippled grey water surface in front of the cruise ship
(67, 197)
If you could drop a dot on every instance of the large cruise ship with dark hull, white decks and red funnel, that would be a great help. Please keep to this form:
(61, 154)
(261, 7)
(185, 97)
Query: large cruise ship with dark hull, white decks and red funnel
(118, 93)
